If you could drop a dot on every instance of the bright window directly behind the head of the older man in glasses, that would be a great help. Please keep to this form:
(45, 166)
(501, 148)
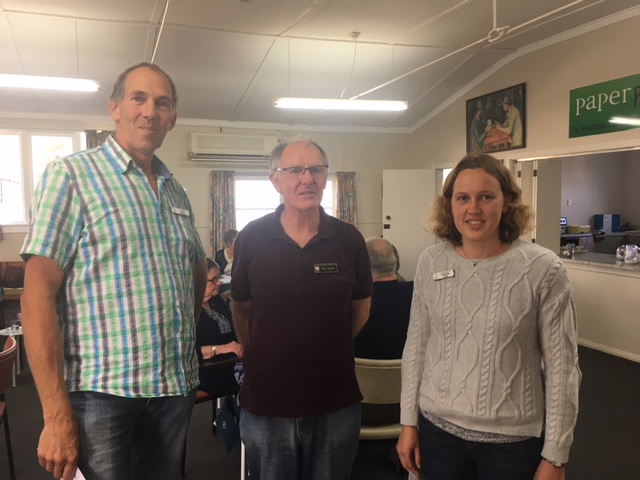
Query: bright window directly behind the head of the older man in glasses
(255, 197)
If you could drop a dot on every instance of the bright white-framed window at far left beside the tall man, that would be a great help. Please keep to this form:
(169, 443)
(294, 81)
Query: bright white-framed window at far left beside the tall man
(23, 157)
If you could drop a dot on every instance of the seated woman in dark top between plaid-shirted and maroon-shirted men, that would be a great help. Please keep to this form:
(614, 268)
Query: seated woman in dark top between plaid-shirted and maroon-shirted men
(215, 336)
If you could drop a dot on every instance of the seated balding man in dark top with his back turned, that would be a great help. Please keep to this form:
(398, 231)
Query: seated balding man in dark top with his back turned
(385, 332)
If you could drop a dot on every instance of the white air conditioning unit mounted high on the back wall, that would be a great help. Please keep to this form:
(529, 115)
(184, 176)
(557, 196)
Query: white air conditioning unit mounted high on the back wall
(216, 147)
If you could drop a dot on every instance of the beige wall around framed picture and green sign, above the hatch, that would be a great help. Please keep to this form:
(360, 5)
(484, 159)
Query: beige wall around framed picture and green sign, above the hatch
(549, 74)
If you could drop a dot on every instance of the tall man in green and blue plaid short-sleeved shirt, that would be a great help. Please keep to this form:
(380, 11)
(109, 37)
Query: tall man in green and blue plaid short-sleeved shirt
(115, 273)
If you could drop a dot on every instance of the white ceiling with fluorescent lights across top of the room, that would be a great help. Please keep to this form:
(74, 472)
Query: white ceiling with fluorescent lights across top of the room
(230, 58)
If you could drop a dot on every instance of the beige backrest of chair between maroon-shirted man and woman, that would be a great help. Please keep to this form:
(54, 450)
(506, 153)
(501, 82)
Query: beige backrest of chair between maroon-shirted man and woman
(379, 380)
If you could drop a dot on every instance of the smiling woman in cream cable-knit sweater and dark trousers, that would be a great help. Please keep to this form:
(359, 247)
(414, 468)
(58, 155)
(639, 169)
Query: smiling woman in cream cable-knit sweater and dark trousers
(490, 372)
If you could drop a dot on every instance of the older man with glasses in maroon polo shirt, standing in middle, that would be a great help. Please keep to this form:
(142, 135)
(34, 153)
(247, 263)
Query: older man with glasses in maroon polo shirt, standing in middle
(301, 288)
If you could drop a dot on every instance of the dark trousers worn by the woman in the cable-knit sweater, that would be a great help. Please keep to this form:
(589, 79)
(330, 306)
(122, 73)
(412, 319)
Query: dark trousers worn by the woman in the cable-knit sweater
(447, 457)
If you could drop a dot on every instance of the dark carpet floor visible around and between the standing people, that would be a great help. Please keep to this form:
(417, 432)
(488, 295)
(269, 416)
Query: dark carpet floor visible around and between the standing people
(606, 445)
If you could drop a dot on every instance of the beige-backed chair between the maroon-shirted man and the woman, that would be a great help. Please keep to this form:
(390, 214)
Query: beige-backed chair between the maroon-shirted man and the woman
(380, 382)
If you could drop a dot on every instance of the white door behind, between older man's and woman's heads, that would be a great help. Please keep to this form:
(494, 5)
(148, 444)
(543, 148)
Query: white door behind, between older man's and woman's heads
(406, 203)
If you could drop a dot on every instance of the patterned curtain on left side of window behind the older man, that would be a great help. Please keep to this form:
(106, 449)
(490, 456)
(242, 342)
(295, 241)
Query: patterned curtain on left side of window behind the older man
(223, 207)
